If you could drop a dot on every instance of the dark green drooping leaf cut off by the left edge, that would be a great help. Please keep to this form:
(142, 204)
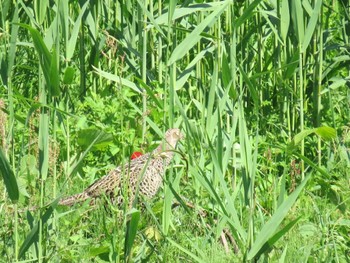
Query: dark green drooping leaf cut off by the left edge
(9, 178)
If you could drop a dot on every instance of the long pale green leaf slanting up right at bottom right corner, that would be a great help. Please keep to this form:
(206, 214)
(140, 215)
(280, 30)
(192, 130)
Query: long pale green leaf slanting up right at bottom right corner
(270, 227)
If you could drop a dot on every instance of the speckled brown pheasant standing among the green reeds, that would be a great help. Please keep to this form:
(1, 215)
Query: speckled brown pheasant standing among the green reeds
(142, 174)
